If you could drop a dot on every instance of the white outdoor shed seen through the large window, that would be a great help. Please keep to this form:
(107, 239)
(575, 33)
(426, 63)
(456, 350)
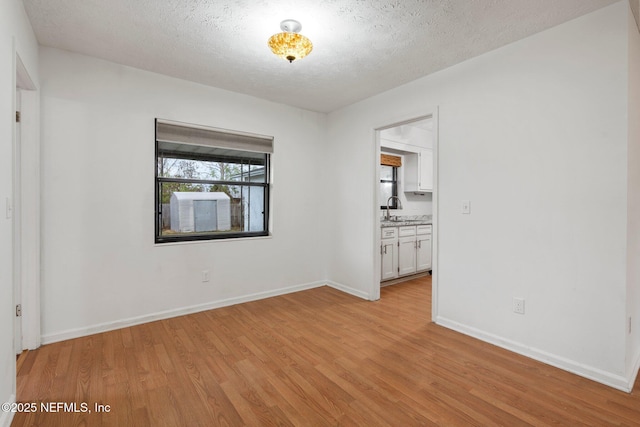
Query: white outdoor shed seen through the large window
(199, 212)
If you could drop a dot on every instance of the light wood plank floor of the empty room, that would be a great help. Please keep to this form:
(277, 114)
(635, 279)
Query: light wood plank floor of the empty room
(313, 358)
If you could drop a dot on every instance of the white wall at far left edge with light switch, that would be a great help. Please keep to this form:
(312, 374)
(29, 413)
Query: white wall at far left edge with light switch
(16, 36)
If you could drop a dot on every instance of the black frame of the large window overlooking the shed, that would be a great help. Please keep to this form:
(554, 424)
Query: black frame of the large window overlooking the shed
(193, 237)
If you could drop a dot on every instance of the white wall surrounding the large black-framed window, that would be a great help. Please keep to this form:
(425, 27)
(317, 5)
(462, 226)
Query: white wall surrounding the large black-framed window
(101, 268)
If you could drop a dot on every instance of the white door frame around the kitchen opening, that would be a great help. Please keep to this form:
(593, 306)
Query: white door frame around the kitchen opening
(421, 115)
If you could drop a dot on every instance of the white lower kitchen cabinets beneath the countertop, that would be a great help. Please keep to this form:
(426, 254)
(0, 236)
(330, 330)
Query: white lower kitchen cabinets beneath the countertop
(405, 250)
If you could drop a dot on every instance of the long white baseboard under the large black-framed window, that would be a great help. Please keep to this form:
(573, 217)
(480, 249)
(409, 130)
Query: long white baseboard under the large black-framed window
(132, 321)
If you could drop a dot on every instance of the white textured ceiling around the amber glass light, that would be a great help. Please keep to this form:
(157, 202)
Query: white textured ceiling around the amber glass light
(361, 47)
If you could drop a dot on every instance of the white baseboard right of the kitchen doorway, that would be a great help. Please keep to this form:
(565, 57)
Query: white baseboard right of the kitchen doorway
(612, 380)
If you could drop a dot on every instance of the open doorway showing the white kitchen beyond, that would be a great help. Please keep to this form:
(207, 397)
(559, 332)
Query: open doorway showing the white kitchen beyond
(406, 210)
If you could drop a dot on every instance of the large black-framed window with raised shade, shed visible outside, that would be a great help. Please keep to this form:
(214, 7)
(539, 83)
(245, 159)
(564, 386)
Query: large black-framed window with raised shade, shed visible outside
(210, 183)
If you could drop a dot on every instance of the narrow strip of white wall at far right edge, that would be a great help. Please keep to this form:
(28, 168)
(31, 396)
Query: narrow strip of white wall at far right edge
(633, 194)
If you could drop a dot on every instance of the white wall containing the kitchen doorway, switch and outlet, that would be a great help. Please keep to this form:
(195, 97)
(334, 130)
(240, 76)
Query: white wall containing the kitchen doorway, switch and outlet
(534, 135)
